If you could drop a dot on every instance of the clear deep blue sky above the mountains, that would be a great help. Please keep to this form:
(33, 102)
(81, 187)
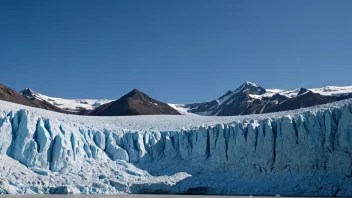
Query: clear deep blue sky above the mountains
(176, 51)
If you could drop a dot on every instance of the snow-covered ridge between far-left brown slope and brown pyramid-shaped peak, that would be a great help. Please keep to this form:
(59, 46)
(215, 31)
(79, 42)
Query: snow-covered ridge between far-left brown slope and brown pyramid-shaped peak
(73, 105)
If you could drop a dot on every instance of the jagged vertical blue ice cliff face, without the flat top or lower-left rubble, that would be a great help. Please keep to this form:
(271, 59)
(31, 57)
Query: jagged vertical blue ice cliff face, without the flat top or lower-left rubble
(313, 144)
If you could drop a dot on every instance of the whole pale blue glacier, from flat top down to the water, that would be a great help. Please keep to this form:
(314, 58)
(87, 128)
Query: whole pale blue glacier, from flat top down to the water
(305, 152)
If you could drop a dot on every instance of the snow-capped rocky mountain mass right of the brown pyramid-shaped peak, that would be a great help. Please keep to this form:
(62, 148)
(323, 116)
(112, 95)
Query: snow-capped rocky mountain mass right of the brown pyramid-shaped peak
(251, 98)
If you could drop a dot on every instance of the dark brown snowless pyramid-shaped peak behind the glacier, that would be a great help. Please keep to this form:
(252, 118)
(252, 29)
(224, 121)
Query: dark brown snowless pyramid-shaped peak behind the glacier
(134, 103)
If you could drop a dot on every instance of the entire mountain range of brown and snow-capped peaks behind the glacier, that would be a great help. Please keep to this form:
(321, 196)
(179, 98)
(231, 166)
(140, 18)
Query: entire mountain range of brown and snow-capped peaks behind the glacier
(249, 98)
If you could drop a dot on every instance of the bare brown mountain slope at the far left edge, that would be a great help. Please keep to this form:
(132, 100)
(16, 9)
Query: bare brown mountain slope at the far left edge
(10, 95)
